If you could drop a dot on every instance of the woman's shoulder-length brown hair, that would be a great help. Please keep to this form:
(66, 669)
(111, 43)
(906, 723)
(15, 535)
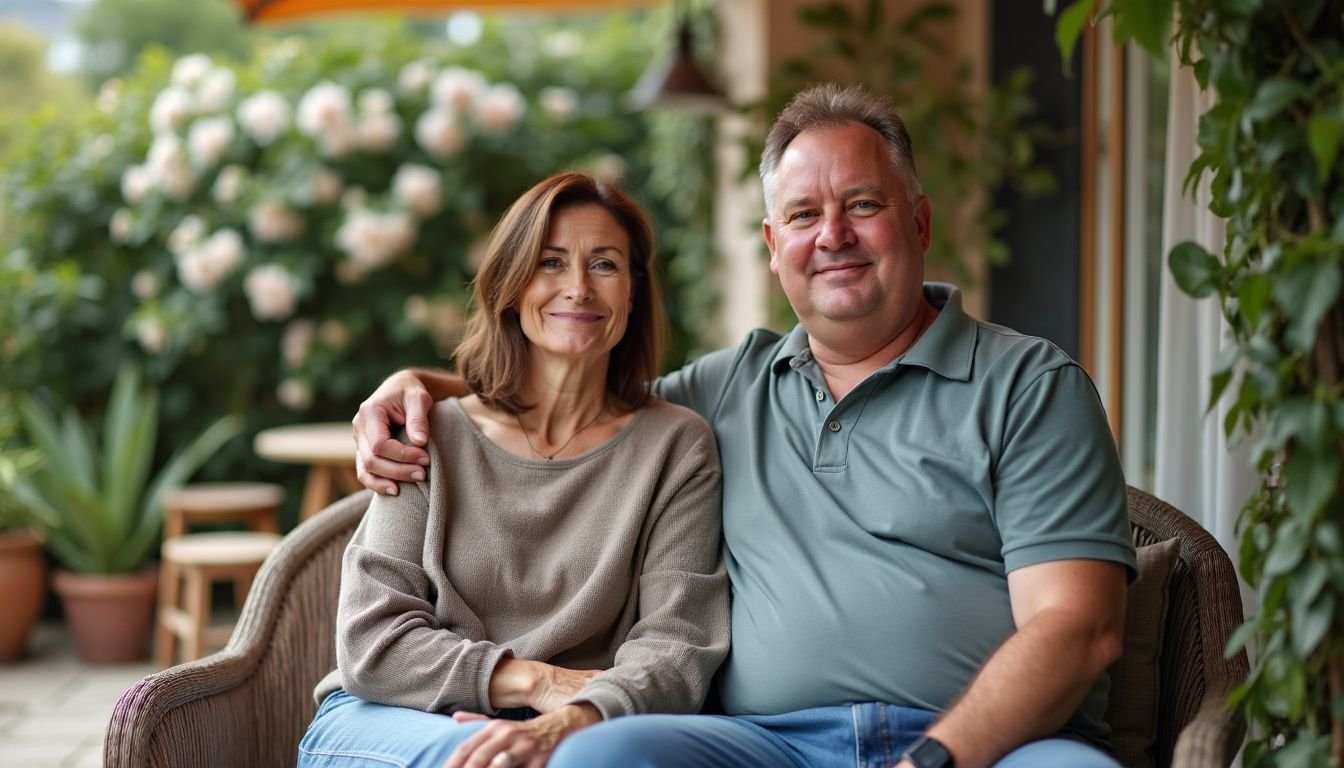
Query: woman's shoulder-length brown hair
(493, 357)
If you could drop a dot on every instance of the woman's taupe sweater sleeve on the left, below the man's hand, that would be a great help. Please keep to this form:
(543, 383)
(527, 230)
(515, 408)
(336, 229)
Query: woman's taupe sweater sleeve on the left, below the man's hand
(390, 648)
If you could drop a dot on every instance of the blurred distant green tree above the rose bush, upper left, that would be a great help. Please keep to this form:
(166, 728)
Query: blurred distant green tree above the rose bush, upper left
(115, 33)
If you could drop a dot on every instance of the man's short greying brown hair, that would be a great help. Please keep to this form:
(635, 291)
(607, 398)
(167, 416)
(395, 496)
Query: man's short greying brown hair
(830, 106)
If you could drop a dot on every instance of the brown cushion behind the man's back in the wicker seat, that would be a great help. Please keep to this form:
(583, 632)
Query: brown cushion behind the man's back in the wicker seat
(1134, 677)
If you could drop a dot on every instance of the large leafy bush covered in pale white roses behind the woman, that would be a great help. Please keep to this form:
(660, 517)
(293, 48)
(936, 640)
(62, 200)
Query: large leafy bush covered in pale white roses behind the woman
(275, 237)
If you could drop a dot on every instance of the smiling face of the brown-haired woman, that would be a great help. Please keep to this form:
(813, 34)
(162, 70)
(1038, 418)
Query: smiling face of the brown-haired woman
(580, 298)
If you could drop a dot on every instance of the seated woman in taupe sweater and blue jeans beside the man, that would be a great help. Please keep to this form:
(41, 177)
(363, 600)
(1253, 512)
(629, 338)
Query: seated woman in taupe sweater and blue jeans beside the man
(560, 566)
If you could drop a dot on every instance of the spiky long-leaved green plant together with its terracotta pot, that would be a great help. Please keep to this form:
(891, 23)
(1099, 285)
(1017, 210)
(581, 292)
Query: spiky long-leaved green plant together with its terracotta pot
(104, 512)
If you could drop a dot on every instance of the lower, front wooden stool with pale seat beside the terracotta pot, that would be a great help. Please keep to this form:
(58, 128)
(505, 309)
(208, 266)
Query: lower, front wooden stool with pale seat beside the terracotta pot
(192, 564)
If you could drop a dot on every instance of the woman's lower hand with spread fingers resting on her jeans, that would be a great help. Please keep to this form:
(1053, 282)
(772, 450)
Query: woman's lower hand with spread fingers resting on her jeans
(522, 744)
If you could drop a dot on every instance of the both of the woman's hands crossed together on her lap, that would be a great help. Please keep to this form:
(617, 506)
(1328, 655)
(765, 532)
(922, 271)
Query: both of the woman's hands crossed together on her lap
(526, 744)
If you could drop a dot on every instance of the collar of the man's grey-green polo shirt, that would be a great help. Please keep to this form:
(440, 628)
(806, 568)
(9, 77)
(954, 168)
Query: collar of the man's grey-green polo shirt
(946, 349)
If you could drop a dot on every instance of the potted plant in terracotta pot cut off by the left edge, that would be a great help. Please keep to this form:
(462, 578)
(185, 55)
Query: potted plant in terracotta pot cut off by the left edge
(24, 566)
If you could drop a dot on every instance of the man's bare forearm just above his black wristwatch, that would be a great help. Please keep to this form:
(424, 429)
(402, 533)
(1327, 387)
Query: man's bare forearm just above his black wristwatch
(1027, 691)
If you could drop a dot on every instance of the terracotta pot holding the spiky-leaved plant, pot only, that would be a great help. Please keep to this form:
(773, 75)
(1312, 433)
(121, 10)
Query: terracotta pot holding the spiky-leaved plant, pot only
(110, 615)
